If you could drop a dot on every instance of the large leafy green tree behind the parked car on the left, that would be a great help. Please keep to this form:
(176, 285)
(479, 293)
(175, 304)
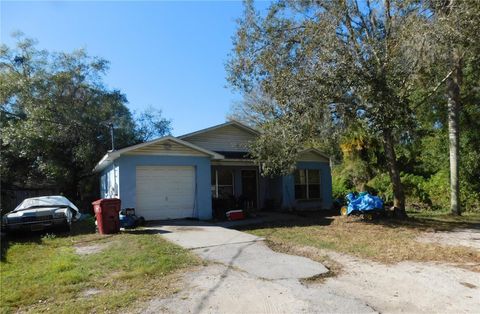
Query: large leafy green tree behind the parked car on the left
(55, 112)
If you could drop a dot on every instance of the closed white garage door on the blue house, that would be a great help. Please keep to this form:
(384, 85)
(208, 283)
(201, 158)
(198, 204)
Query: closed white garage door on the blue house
(165, 192)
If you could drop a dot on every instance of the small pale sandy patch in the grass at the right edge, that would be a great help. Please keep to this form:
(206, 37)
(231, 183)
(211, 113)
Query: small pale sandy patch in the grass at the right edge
(457, 237)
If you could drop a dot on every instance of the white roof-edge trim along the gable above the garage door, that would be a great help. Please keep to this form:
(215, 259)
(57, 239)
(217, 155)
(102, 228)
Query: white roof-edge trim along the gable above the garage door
(111, 156)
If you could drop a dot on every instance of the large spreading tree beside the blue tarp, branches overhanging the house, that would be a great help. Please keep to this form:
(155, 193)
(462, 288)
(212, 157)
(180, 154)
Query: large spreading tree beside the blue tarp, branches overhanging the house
(348, 61)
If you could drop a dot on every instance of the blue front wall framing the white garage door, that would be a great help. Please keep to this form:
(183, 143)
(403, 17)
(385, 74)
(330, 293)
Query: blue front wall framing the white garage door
(128, 164)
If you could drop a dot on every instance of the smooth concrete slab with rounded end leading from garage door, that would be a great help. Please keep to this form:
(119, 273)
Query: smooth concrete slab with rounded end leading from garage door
(239, 249)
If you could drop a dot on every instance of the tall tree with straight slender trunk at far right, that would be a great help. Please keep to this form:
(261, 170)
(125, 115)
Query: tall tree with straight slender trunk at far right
(456, 44)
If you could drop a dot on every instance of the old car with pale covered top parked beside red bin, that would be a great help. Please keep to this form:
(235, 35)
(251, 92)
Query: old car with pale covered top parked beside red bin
(41, 213)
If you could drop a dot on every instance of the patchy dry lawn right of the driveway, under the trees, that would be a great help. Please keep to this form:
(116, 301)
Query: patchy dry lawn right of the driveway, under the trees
(386, 240)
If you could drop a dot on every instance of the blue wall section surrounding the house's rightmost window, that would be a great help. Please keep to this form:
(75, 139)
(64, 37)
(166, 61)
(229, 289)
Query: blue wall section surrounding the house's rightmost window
(288, 194)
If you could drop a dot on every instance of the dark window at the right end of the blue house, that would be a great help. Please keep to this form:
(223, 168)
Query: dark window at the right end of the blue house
(307, 184)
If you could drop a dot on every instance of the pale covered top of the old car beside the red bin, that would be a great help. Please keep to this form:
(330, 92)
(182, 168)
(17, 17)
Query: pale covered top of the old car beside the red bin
(44, 205)
